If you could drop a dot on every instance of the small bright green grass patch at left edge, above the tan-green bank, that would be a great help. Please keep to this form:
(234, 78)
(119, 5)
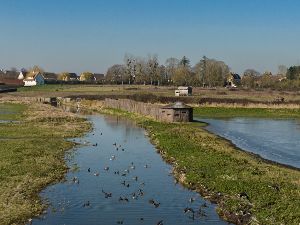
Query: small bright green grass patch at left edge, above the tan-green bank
(10, 111)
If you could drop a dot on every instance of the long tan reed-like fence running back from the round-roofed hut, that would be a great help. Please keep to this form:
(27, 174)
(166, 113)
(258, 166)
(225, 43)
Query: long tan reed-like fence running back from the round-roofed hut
(146, 109)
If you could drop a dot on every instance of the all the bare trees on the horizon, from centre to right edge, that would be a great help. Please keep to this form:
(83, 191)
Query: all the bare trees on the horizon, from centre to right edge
(206, 72)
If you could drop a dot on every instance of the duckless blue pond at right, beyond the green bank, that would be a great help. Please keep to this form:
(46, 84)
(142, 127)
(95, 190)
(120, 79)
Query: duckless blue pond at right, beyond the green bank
(276, 140)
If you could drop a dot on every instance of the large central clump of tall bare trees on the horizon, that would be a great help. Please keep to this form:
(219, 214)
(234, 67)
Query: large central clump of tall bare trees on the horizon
(136, 70)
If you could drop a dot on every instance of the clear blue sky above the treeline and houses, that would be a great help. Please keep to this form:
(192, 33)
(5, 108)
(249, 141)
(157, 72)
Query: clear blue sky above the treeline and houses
(79, 35)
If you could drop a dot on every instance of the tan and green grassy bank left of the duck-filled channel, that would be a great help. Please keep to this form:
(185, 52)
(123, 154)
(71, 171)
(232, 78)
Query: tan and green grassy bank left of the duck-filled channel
(32, 156)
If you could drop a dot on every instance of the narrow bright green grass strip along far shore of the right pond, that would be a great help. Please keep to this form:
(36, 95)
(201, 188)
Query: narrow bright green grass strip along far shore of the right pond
(222, 112)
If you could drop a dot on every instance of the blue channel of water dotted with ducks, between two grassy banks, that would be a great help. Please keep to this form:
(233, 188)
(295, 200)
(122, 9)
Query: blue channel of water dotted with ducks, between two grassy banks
(121, 180)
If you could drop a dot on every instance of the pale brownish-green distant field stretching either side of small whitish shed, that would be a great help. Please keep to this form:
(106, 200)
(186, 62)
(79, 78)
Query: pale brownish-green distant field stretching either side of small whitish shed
(217, 93)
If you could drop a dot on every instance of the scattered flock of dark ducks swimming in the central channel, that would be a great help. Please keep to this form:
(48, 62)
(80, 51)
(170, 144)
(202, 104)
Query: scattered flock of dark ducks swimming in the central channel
(127, 180)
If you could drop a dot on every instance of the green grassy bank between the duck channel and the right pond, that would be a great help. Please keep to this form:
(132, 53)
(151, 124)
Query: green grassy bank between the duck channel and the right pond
(247, 189)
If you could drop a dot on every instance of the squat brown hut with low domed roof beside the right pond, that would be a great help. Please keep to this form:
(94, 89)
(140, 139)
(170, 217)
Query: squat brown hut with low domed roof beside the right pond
(177, 112)
